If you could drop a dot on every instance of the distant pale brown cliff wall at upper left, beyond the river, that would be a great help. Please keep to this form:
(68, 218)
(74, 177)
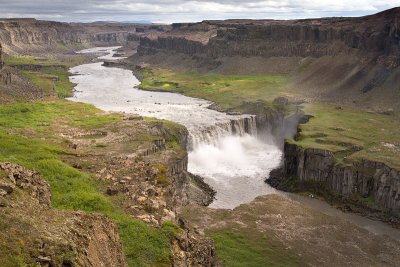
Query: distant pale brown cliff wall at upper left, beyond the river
(24, 35)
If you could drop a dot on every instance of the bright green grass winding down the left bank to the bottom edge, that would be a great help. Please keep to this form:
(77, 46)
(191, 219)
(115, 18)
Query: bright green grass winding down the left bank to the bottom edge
(23, 127)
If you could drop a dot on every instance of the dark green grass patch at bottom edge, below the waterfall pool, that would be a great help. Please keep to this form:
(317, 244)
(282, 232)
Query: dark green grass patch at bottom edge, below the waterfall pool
(235, 249)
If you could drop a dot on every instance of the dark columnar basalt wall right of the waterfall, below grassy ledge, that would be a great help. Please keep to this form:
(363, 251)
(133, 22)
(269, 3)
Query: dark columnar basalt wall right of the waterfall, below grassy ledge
(365, 178)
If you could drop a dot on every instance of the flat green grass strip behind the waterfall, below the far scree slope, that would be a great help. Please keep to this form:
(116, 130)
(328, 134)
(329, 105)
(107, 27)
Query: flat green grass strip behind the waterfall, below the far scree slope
(228, 91)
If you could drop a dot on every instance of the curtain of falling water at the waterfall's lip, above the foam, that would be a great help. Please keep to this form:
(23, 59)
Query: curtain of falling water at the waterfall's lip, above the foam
(212, 134)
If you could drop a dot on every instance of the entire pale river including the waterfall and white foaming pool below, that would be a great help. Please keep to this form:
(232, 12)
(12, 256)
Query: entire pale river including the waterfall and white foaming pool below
(223, 148)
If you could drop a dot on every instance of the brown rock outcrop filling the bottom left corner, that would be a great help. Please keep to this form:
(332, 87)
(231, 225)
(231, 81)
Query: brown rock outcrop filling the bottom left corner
(36, 234)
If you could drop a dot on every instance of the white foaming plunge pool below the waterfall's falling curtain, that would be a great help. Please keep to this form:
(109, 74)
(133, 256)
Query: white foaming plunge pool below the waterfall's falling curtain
(238, 164)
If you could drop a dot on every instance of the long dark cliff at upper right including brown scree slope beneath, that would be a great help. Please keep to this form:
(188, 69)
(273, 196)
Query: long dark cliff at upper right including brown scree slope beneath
(344, 60)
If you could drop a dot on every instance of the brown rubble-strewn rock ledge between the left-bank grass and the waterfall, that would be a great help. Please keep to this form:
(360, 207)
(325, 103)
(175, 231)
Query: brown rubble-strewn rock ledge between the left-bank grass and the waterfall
(152, 179)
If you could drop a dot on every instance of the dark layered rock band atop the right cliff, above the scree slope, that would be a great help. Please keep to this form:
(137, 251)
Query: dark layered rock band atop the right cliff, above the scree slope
(379, 34)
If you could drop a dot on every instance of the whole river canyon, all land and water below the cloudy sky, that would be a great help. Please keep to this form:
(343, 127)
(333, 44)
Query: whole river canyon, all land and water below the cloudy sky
(155, 175)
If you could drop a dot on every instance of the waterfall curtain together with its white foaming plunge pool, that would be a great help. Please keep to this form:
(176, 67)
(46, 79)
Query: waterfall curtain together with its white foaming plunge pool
(229, 155)
